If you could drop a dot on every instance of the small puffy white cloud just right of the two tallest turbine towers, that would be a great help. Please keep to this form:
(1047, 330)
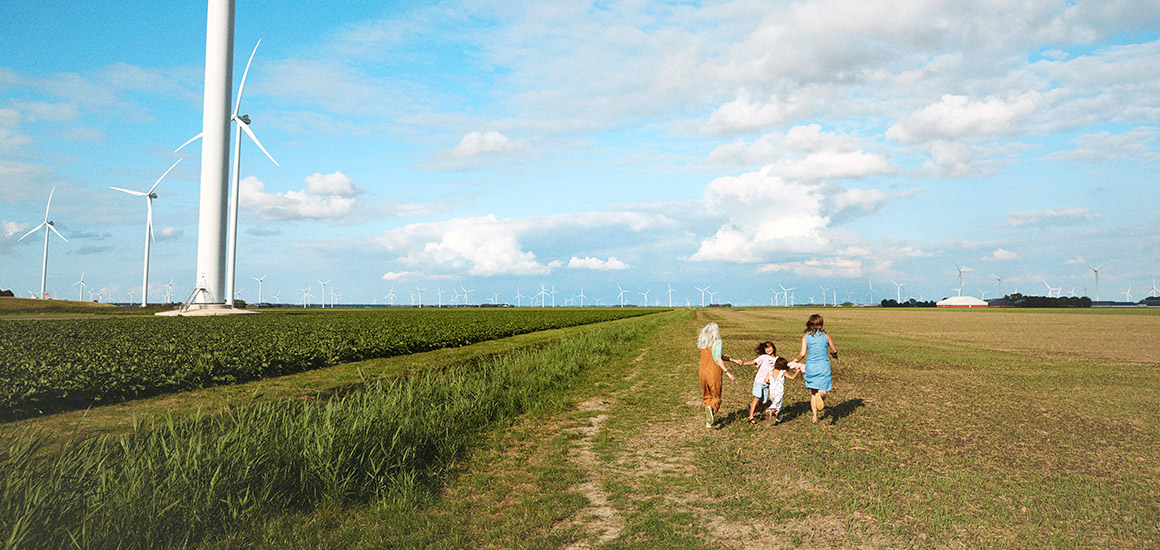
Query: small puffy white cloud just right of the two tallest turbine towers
(327, 197)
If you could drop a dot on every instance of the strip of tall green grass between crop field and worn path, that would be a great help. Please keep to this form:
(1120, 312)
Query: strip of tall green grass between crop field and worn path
(176, 483)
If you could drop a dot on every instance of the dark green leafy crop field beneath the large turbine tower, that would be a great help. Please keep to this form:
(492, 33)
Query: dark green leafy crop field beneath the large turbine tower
(49, 366)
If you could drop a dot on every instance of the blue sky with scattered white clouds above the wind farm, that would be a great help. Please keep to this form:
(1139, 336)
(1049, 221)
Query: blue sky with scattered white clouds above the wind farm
(503, 147)
